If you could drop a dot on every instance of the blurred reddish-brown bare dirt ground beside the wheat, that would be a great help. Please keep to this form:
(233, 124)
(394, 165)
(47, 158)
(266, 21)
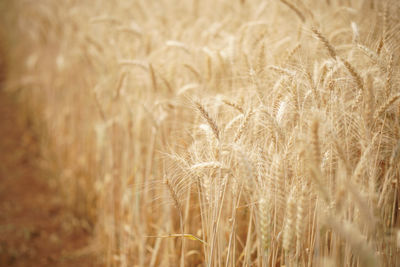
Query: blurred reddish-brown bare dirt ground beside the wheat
(36, 228)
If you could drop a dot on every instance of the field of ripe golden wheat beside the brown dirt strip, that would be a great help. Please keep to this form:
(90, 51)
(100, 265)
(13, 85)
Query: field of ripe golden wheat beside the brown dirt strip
(218, 133)
